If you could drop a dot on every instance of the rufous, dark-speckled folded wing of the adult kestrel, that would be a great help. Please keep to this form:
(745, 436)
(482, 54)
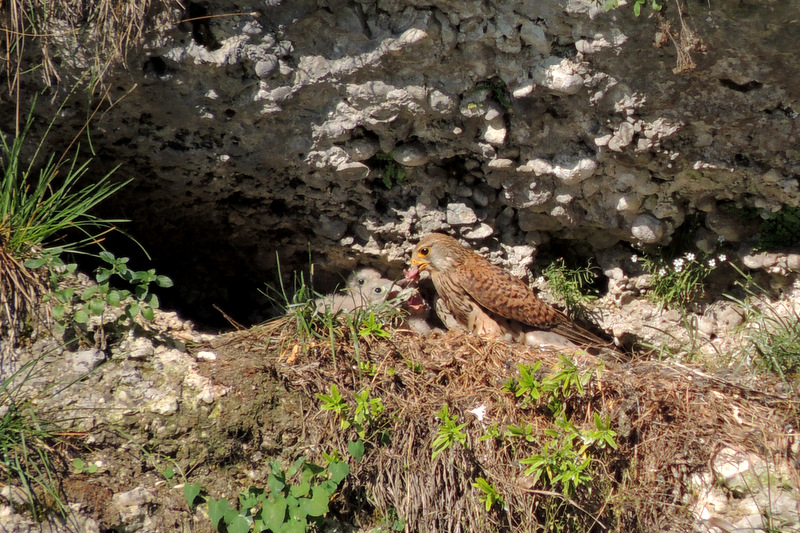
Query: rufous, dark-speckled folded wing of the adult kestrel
(504, 294)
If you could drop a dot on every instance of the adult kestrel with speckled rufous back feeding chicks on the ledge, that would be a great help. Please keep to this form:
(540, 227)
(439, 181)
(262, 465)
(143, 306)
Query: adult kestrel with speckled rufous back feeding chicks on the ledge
(480, 297)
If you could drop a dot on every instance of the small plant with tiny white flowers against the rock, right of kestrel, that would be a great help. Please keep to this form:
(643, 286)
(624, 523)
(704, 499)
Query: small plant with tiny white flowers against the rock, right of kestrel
(681, 281)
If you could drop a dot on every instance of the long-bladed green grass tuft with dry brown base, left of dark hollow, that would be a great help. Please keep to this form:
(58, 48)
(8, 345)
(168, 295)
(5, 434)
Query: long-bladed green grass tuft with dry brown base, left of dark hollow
(40, 202)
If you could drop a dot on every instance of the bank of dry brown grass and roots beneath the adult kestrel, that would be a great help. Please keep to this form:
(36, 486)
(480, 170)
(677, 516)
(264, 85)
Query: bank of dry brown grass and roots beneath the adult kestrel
(668, 420)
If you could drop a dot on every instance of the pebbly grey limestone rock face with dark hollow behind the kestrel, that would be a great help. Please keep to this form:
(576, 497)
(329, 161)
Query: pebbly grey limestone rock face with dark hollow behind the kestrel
(353, 127)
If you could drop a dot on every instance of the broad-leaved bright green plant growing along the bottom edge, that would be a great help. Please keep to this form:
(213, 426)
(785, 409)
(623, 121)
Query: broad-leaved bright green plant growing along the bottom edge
(285, 507)
